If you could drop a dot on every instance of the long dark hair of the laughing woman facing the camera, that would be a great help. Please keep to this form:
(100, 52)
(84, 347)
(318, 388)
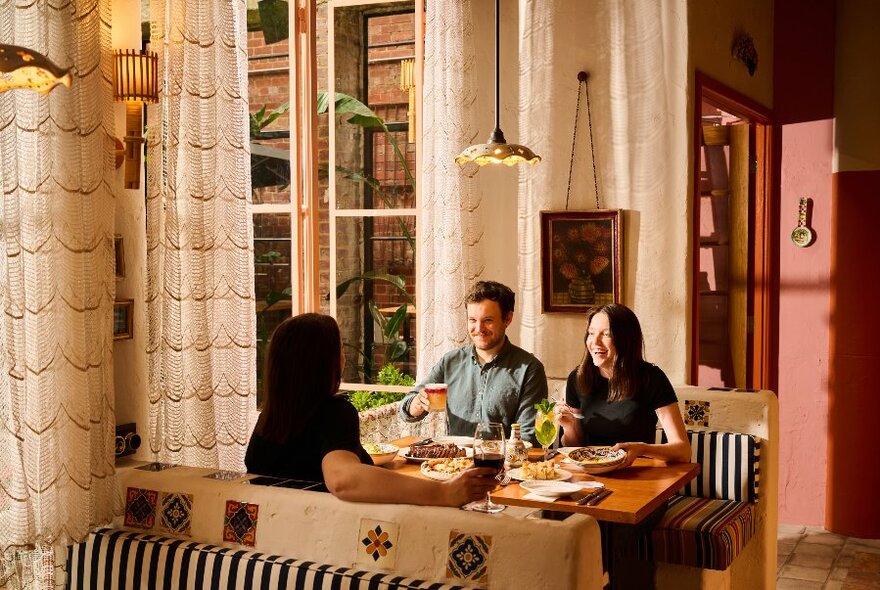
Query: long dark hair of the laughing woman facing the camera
(627, 335)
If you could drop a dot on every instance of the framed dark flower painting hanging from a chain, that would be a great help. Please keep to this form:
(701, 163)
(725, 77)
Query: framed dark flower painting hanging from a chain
(580, 259)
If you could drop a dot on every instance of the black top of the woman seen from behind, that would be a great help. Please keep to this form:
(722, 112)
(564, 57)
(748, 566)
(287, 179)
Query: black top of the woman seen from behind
(336, 427)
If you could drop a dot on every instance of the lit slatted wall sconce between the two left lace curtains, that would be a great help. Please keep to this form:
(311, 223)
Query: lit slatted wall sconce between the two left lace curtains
(135, 81)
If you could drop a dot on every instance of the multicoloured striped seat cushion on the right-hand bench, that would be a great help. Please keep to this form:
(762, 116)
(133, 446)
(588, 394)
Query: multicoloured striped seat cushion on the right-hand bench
(699, 532)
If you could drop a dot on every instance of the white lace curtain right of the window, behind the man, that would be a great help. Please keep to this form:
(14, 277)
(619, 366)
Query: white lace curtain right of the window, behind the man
(450, 251)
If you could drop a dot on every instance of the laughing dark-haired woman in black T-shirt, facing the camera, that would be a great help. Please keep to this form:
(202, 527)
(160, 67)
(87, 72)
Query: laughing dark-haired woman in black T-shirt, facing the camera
(620, 395)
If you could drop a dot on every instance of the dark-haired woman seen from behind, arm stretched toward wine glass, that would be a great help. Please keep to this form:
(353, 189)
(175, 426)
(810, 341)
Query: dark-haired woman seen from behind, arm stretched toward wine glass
(306, 431)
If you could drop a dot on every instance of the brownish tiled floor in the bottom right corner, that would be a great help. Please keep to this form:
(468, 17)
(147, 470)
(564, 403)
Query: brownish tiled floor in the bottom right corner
(811, 557)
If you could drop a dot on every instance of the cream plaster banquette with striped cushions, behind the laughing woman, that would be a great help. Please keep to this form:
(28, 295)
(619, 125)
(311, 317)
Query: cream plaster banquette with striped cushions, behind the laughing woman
(719, 531)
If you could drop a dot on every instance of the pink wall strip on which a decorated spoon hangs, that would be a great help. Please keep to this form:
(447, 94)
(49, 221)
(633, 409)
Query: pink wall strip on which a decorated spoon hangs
(804, 310)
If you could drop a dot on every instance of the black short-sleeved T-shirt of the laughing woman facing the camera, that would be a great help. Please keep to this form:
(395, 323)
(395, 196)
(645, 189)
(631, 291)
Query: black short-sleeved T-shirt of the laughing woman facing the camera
(630, 420)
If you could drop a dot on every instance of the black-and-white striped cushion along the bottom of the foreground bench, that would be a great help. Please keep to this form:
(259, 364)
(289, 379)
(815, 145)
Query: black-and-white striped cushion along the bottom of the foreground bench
(119, 559)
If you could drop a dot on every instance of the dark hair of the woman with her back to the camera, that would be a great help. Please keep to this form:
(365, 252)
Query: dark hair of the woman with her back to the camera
(302, 369)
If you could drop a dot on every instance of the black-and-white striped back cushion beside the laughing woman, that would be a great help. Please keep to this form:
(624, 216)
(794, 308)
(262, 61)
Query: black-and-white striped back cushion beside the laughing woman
(729, 462)
